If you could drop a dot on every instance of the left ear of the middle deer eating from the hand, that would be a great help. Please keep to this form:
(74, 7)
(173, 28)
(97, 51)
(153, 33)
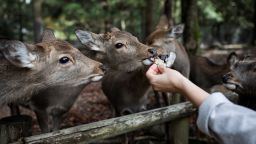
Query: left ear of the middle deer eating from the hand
(90, 40)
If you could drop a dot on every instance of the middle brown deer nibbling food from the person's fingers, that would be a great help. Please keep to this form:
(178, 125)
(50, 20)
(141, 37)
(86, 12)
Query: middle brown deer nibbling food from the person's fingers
(124, 83)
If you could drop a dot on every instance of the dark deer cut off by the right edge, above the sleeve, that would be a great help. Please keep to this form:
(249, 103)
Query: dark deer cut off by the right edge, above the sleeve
(241, 79)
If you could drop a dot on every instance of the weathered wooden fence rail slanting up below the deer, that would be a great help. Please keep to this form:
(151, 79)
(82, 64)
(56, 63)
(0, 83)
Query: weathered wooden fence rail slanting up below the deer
(112, 127)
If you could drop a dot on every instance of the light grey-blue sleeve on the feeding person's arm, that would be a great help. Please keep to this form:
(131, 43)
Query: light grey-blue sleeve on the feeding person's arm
(227, 122)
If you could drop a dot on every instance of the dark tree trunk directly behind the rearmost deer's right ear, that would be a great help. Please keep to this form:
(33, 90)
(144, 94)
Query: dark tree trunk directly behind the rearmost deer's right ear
(189, 18)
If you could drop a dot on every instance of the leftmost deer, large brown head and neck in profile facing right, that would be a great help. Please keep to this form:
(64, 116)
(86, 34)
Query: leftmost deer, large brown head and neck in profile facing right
(30, 73)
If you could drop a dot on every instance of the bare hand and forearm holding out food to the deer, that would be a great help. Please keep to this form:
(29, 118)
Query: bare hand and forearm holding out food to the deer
(169, 80)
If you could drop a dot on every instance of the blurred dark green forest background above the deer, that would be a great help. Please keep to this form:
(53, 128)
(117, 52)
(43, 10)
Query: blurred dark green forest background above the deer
(209, 23)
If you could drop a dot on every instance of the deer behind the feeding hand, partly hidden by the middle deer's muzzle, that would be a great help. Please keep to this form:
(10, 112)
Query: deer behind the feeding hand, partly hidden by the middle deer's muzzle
(165, 36)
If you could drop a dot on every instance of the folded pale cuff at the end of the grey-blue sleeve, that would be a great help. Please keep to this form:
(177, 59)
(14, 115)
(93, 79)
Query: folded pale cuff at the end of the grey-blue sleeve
(206, 108)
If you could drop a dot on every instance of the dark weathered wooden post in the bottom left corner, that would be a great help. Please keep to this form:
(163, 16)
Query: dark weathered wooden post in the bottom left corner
(14, 127)
